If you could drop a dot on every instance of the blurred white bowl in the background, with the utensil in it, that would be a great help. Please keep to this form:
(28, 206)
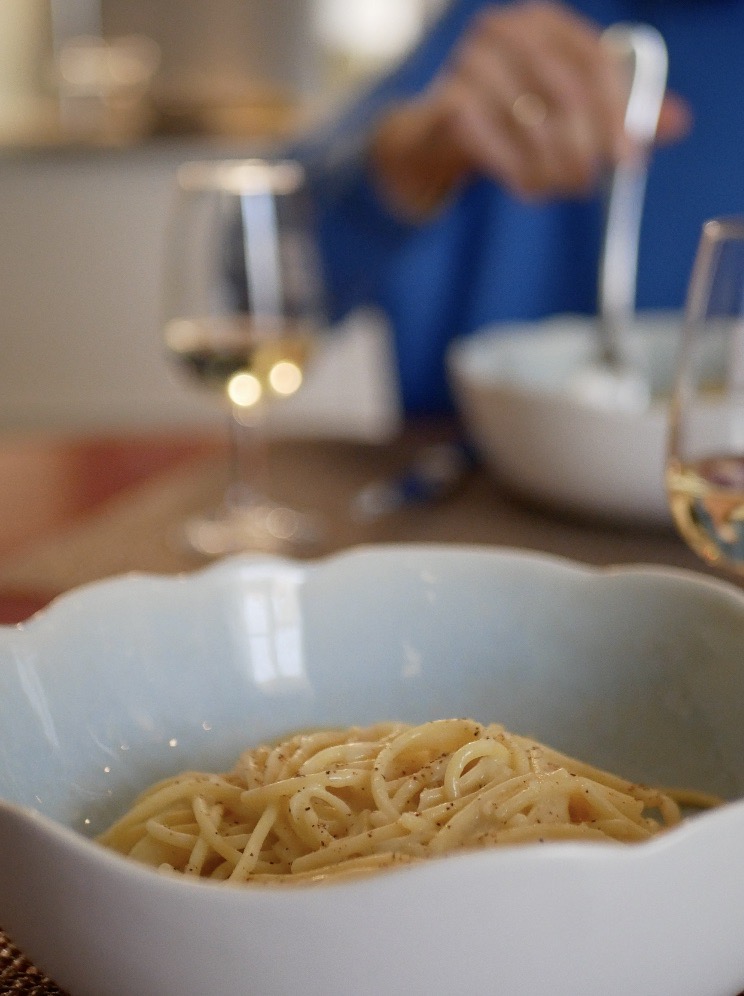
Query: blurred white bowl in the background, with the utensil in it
(512, 384)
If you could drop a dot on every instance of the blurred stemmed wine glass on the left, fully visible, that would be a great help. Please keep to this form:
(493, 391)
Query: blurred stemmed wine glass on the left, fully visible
(243, 301)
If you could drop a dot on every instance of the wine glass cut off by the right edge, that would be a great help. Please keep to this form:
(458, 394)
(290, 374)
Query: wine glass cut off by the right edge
(705, 461)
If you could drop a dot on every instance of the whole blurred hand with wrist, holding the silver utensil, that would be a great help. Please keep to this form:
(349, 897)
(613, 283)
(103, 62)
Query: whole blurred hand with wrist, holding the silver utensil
(529, 97)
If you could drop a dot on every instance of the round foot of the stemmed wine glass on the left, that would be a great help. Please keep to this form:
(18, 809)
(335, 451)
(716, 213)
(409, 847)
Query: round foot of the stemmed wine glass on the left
(266, 527)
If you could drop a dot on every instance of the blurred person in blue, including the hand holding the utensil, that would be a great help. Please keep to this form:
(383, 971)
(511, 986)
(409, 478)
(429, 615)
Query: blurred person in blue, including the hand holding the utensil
(464, 188)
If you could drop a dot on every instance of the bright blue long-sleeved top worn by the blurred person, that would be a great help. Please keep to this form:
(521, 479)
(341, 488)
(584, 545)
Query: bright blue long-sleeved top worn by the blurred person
(490, 257)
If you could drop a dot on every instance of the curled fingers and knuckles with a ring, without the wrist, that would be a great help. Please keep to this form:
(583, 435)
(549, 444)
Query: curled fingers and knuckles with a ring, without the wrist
(535, 100)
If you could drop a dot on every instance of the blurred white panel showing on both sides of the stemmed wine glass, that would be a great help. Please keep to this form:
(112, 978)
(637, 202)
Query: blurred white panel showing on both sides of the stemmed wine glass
(81, 247)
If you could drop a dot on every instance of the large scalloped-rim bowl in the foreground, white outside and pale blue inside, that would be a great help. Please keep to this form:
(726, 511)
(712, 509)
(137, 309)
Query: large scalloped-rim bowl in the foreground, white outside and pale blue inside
(125, 681)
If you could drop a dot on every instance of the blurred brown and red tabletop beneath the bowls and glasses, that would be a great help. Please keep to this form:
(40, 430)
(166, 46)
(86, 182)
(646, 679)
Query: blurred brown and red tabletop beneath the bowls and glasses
(76, 509)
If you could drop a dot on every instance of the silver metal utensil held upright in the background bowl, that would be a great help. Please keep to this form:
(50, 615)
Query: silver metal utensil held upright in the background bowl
(614, 381)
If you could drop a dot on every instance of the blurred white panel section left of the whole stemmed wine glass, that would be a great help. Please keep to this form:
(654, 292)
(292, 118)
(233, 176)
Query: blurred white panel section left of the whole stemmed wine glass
(80, 244)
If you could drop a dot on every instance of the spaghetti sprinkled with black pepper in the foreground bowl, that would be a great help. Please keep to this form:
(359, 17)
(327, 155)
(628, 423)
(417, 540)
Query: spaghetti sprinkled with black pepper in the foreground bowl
(359, 799)
